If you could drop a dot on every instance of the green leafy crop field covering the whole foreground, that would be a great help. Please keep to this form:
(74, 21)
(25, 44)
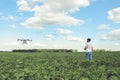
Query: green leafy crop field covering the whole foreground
(59, 66)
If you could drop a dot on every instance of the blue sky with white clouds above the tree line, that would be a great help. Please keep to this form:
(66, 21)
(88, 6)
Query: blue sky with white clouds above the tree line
(59, 24)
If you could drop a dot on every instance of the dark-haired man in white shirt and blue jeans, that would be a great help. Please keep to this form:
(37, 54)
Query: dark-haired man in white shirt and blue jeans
(89, 48)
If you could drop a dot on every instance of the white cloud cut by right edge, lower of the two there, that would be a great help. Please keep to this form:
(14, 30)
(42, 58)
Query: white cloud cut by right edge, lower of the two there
(112, 35)
